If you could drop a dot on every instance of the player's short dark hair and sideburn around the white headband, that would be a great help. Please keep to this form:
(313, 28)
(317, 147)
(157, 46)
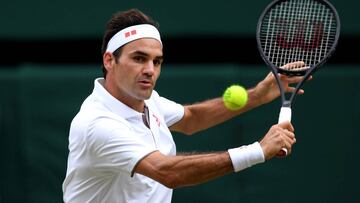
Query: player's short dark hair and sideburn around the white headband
(120, 21)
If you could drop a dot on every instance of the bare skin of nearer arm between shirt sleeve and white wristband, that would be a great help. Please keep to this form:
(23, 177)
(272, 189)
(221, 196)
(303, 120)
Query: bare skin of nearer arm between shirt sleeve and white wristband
(185, 170)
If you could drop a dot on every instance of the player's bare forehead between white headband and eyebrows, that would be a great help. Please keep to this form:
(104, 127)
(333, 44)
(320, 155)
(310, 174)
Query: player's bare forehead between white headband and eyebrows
(149, 46)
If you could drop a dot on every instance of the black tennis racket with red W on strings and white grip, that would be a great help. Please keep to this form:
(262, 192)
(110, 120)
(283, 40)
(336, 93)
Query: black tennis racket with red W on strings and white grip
(296, 30)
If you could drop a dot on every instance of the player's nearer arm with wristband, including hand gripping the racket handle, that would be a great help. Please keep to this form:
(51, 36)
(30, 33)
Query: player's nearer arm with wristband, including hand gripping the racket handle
(185, 170)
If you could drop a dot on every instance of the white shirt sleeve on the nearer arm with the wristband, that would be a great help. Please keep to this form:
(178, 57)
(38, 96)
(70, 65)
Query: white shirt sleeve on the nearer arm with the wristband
(115, 146)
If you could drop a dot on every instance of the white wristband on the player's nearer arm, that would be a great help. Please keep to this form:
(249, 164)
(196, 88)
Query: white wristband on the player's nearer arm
(246, 156)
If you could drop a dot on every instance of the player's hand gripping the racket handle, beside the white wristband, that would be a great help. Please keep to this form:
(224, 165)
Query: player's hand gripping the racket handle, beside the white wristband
(279, 136)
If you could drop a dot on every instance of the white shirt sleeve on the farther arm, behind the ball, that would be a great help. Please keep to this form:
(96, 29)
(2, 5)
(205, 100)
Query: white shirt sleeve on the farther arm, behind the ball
(172, 111)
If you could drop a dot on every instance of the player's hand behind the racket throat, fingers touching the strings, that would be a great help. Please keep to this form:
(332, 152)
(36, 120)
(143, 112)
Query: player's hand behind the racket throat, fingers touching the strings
(267, 90)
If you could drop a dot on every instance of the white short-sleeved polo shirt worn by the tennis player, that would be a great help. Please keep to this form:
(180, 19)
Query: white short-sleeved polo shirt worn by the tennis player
(107, 139)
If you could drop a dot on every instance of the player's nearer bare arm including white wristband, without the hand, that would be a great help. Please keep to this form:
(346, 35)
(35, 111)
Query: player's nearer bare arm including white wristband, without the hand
(185, 170)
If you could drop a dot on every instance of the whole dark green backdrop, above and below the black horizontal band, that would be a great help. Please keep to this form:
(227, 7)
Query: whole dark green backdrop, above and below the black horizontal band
(38, 102)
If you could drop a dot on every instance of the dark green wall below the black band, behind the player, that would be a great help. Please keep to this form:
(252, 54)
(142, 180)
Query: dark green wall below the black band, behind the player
(38, 102)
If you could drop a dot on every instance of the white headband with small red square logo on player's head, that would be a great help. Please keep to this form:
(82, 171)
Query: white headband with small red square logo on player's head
(132, 33)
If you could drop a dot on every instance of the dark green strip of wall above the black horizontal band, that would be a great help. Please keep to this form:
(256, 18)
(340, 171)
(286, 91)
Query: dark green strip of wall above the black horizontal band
(41, 19)
